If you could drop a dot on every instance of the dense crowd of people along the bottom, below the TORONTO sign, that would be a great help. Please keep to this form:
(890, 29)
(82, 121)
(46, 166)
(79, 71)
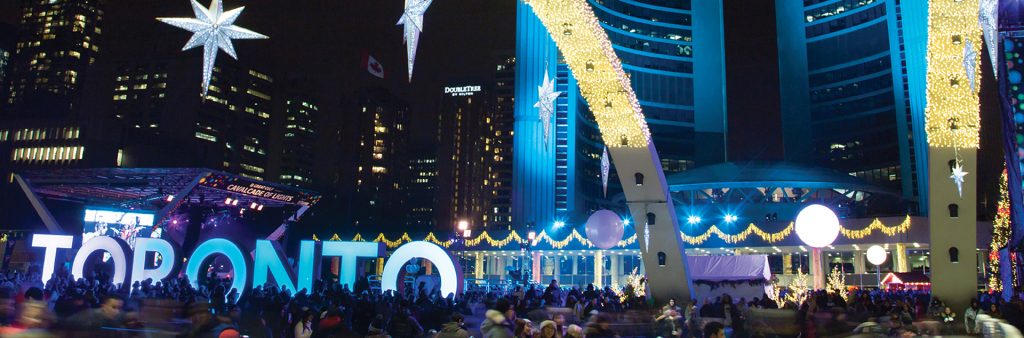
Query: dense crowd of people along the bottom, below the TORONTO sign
(94, 307)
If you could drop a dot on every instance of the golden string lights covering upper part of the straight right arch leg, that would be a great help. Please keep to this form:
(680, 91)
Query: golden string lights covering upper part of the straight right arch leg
(952, 113)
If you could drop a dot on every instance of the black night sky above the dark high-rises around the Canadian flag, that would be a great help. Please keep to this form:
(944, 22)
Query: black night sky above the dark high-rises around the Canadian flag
(325, 41)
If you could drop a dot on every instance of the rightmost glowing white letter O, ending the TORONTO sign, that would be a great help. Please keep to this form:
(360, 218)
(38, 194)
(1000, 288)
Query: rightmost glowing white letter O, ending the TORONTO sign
(449, 269)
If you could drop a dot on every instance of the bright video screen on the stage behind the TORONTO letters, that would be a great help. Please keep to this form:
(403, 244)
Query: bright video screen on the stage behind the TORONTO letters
(127, 226)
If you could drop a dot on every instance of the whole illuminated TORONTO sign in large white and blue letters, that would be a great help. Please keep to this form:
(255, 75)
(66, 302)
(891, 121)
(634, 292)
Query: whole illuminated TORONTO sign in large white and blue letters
(267, 261)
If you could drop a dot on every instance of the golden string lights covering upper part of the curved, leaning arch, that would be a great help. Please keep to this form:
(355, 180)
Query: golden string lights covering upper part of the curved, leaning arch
(603, 82)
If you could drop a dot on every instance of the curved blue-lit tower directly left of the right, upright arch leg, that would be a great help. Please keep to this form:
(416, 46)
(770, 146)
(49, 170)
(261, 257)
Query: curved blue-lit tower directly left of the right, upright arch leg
(852, 76)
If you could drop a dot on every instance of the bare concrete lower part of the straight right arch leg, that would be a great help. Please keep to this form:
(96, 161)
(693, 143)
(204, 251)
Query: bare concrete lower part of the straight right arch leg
(954, 282)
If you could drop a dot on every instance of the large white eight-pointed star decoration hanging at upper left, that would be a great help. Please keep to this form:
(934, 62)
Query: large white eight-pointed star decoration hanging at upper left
(214, 28)
